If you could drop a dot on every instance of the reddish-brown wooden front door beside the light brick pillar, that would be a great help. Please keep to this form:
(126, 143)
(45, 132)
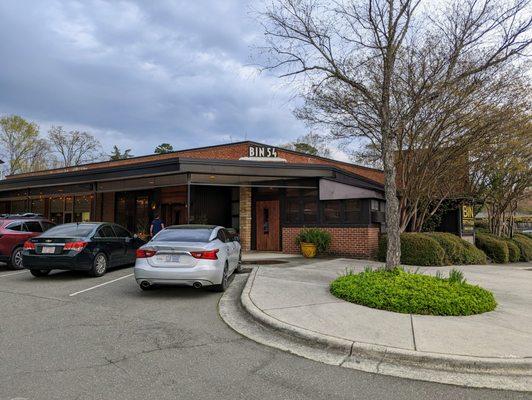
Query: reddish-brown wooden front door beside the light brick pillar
(267, 227)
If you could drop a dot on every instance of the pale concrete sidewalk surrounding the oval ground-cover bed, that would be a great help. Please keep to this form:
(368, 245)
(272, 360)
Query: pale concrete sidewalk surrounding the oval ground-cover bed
(495, 347)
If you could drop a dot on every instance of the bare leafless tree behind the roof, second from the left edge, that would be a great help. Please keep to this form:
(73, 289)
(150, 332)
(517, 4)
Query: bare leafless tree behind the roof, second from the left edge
(73, 147)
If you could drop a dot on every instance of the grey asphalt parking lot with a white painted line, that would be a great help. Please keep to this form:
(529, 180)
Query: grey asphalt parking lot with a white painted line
(67, 336)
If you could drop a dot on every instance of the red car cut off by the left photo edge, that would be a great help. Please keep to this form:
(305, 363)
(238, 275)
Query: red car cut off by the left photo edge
(14, 231)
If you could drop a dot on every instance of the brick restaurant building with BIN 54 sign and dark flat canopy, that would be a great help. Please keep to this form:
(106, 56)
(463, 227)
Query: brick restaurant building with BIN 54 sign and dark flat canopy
(267, 194)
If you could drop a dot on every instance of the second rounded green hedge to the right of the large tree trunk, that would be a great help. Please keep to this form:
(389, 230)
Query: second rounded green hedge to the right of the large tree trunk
(457, 250)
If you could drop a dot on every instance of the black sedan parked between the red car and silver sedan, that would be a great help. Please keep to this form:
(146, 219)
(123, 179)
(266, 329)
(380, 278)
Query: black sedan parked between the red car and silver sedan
(86, 246)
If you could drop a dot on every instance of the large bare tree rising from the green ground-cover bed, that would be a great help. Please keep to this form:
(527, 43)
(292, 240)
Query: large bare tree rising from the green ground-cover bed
(350, 55)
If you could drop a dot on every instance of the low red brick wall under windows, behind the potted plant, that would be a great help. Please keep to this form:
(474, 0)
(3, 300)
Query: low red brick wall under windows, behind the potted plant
(350, 242)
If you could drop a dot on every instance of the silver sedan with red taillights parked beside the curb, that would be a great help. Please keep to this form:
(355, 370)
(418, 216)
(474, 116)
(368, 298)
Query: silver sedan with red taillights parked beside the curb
(191, 255)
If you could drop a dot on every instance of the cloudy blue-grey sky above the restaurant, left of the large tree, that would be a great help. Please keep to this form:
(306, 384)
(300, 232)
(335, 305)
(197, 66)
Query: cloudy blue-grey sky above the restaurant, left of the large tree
(138, 73)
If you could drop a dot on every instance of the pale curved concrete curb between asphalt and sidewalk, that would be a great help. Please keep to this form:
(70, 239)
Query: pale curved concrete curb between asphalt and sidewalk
(514, 374)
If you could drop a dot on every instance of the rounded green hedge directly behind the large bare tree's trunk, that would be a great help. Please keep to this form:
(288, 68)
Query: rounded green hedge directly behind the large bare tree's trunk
(416, 249)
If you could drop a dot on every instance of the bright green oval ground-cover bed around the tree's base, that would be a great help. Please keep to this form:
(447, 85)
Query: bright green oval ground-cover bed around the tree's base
(407, 292)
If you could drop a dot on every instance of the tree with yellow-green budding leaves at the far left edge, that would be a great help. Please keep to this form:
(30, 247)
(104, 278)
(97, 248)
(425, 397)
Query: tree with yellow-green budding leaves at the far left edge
(23, 149)
